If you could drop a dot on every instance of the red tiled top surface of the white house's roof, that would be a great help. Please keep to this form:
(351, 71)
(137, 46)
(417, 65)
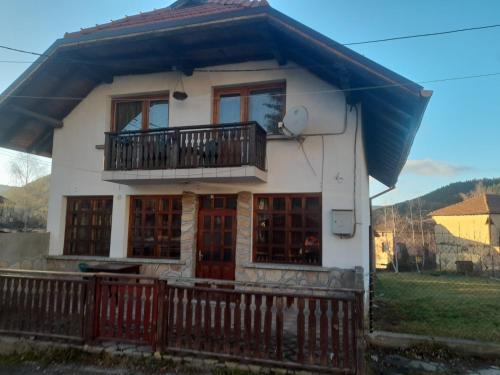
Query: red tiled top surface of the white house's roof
(186, 10)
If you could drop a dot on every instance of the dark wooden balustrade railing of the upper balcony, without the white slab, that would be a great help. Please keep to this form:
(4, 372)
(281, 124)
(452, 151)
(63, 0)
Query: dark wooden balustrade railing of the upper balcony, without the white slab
(224, 145)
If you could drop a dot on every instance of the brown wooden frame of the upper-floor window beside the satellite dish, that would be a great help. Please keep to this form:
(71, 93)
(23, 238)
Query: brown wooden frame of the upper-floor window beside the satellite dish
(244, 91)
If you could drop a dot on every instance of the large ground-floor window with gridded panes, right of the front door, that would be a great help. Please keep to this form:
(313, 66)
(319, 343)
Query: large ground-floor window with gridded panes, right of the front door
(287, 228)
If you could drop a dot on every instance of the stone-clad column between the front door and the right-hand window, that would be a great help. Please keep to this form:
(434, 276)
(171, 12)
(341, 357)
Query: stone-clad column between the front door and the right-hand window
(244, 233)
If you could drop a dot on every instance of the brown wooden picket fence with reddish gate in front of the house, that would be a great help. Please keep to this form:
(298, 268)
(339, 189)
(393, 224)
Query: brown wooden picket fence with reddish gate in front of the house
(316, 329)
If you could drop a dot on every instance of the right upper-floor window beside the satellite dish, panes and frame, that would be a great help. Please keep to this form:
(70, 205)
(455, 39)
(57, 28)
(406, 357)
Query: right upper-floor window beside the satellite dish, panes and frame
(262, 103)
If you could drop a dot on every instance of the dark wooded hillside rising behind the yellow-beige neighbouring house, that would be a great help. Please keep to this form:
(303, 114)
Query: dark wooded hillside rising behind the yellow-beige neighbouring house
(443, 197)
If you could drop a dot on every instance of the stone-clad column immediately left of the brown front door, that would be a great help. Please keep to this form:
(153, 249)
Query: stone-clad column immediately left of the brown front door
(189, 228)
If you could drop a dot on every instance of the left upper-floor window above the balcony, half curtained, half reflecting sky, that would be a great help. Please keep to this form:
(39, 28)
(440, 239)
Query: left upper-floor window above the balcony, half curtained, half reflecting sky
(140, 112)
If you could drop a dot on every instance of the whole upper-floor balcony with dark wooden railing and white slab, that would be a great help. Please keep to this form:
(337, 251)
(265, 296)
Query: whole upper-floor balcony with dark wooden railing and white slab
(209, 152)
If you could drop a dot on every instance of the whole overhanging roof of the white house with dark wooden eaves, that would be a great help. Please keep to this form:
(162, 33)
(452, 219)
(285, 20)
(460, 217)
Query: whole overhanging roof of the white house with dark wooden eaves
(193, 34)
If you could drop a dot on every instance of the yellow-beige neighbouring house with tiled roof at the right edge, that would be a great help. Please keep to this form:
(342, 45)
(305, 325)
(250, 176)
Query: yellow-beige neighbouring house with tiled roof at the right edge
(469, 231)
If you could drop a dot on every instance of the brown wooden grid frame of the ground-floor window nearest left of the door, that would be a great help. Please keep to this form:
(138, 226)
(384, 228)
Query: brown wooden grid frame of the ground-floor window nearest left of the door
(158, 227)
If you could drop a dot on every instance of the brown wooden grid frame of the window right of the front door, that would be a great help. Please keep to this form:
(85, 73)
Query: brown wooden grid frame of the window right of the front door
(287, 228)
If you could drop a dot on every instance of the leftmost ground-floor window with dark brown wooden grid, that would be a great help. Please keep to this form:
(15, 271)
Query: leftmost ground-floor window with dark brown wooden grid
(88, 226)
